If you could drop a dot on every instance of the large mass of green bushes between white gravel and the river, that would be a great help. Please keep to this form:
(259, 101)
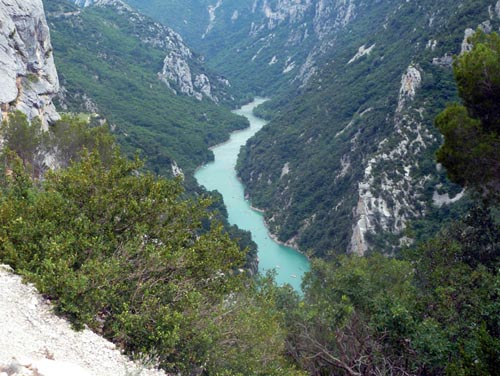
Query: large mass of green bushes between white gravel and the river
(127, 254)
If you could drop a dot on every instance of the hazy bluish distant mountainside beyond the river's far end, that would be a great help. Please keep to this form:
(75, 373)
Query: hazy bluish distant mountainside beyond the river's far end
(262, 46)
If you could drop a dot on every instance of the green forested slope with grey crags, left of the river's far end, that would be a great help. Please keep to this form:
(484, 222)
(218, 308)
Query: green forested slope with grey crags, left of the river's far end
(143, 79)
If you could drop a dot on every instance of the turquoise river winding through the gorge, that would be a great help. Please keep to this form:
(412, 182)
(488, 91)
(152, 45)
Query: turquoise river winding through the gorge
(220, 175)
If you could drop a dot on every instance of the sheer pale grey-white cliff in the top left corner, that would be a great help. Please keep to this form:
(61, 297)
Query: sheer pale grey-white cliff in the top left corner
(28, 75)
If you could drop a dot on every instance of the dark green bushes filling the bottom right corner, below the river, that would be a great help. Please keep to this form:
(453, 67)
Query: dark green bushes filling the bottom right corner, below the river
(434, 312)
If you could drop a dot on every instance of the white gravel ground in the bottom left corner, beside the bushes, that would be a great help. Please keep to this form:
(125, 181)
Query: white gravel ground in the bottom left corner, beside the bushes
(31, 334)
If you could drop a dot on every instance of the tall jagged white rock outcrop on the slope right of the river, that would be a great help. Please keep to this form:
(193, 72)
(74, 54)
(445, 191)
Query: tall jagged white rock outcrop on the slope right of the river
(393, 201)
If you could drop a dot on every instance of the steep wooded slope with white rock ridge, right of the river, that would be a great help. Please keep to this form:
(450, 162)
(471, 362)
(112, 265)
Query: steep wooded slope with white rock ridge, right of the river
(350, 160)
